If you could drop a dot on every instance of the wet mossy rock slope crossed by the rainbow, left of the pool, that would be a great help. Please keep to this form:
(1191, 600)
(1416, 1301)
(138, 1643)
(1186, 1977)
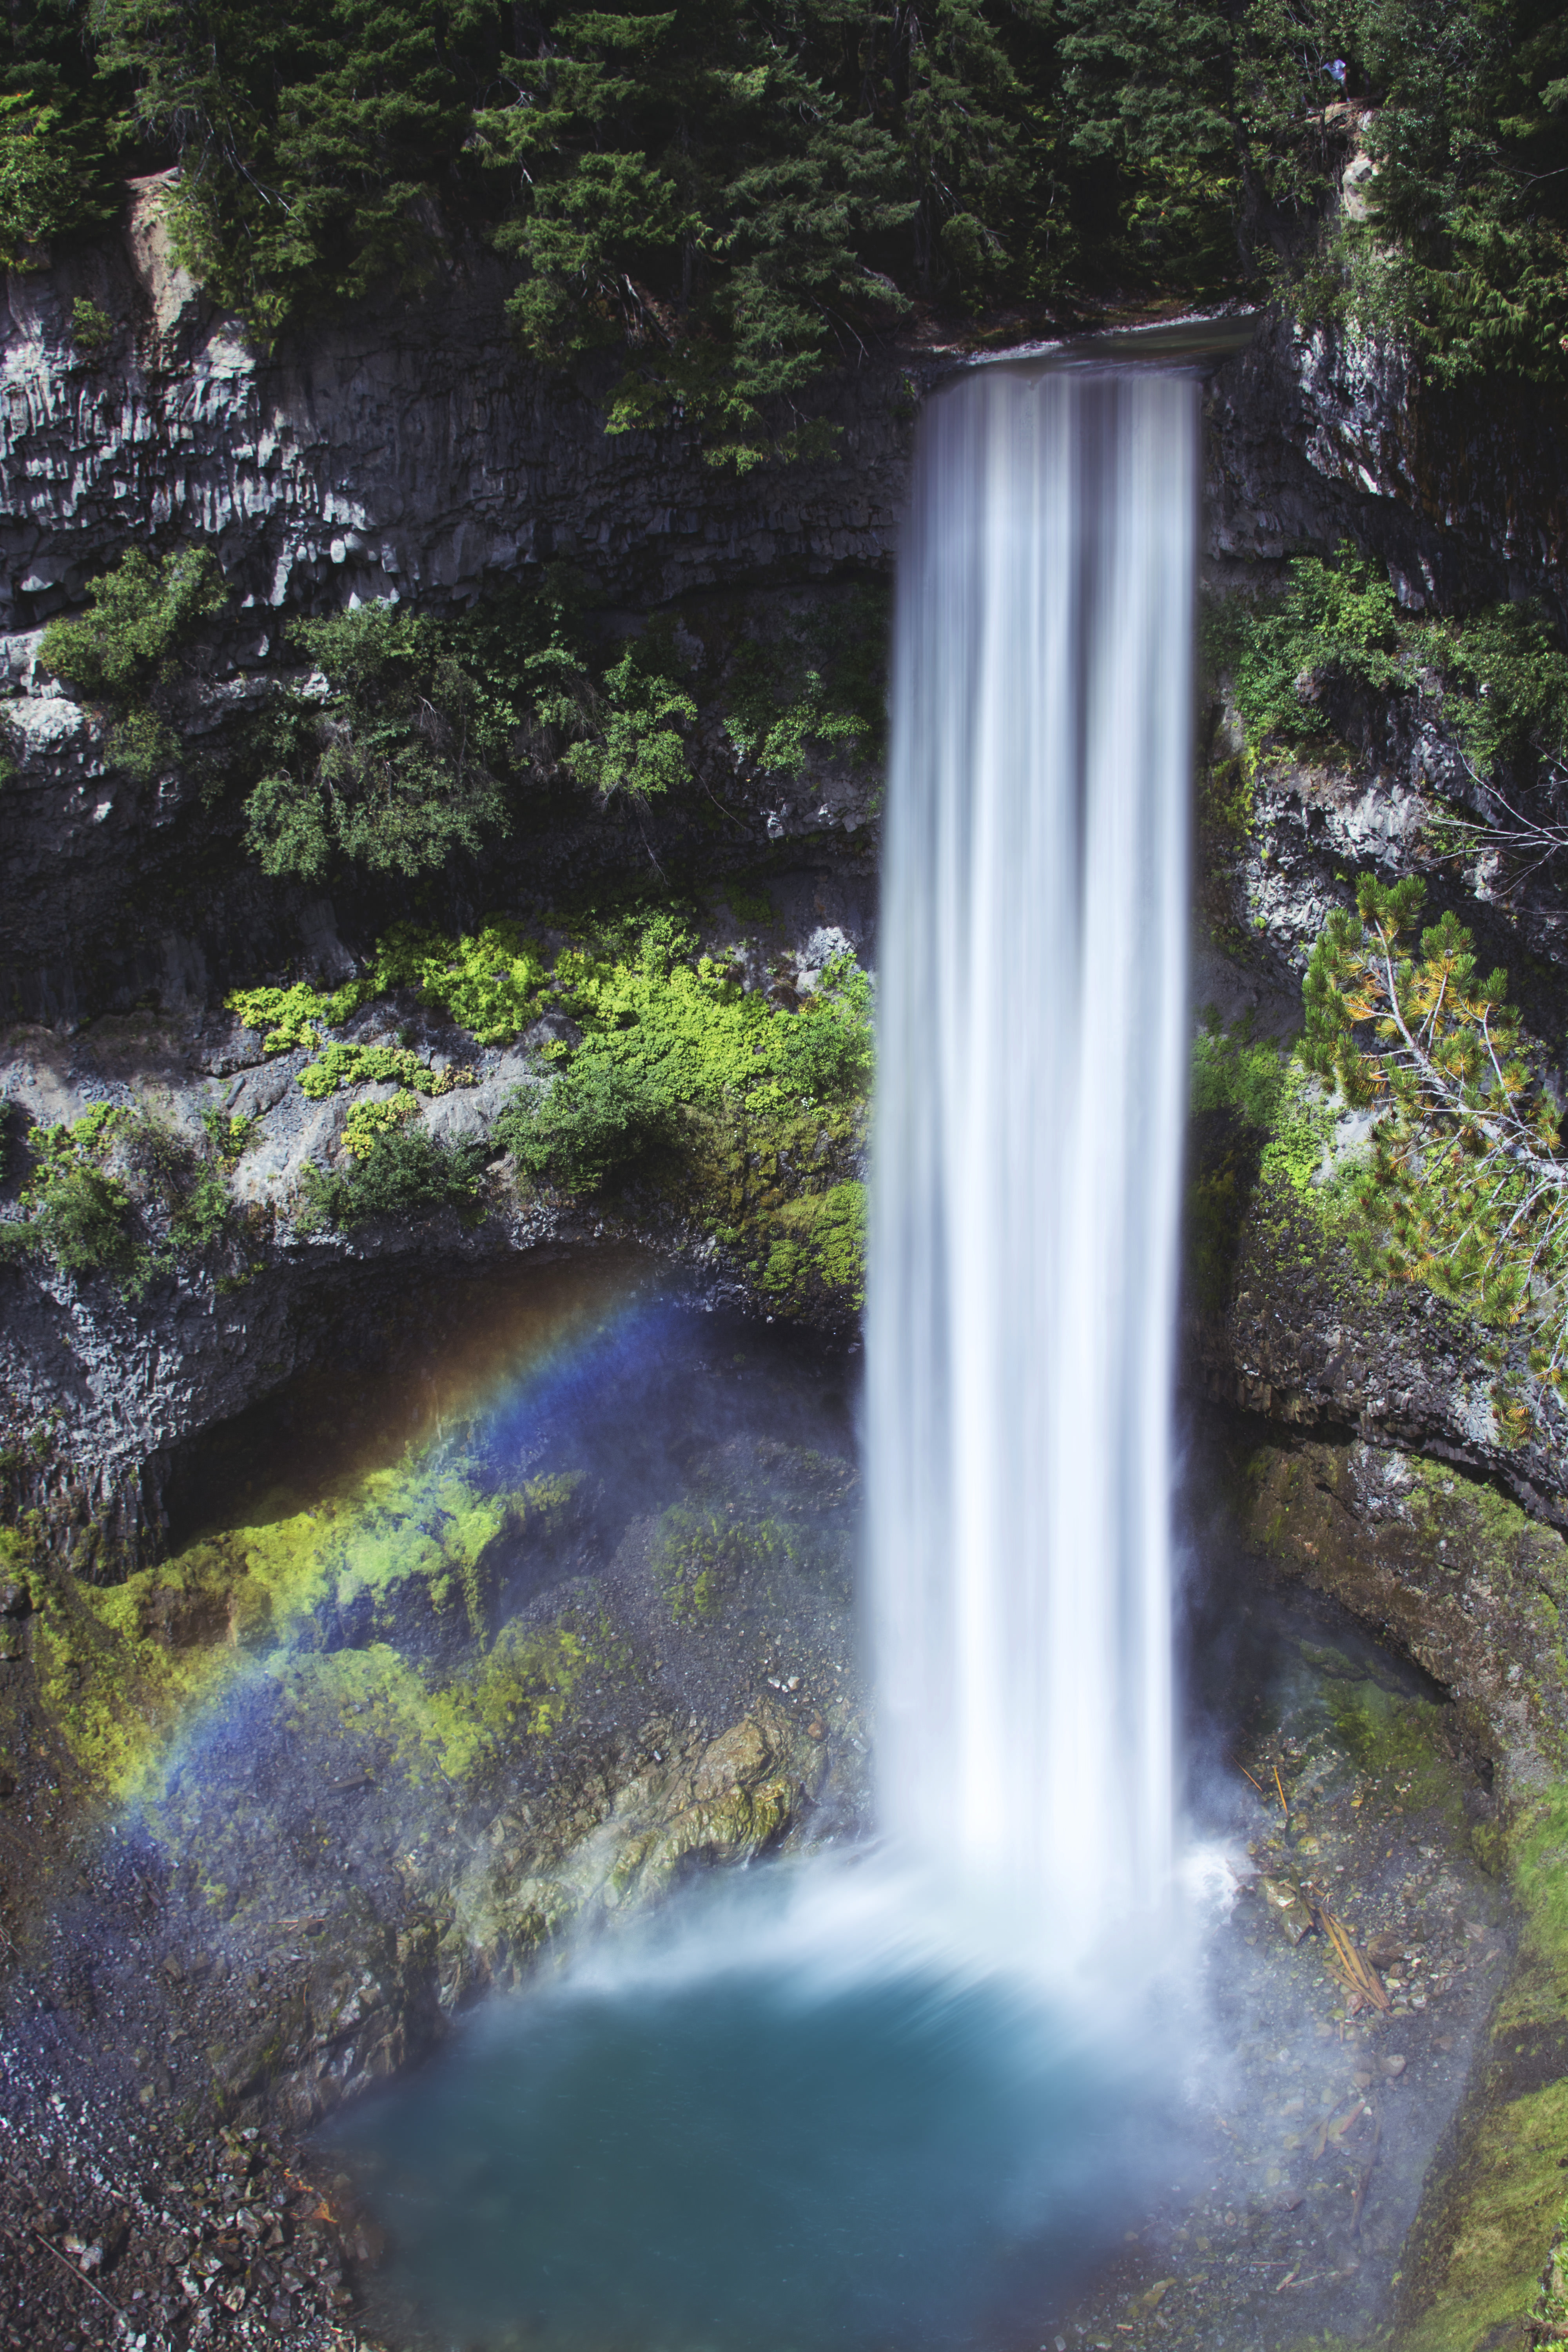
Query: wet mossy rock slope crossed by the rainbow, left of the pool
(309, 1880)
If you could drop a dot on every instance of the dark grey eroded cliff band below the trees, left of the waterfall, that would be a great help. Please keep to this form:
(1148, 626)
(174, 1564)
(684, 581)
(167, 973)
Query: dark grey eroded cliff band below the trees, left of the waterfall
(403, 450)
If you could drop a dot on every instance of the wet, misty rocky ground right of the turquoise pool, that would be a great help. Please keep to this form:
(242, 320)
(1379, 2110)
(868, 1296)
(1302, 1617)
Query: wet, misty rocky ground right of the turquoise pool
(1336, 1791)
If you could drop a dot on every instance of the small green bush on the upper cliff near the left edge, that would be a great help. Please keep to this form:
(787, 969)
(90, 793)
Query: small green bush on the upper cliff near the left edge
(126, 653)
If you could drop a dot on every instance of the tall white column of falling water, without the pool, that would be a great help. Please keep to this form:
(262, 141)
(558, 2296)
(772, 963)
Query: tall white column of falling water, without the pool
(1028, 1147)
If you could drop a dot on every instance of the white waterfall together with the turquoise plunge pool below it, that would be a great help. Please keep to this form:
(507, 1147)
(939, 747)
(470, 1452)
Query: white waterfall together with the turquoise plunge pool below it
(857, 2102)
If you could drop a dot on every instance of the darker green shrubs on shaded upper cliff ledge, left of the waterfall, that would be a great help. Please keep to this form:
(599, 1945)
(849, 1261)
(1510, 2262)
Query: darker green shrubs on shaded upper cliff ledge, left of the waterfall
(417, 733)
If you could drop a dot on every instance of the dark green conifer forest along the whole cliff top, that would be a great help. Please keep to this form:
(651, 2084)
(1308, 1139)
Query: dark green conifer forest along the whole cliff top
(737, 194)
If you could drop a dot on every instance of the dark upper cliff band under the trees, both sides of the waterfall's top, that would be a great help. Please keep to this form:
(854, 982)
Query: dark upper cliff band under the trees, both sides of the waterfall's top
(406, 448)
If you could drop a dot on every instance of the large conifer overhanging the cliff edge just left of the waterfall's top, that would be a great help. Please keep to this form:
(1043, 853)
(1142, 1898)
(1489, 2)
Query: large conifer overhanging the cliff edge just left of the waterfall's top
(699, 196)
